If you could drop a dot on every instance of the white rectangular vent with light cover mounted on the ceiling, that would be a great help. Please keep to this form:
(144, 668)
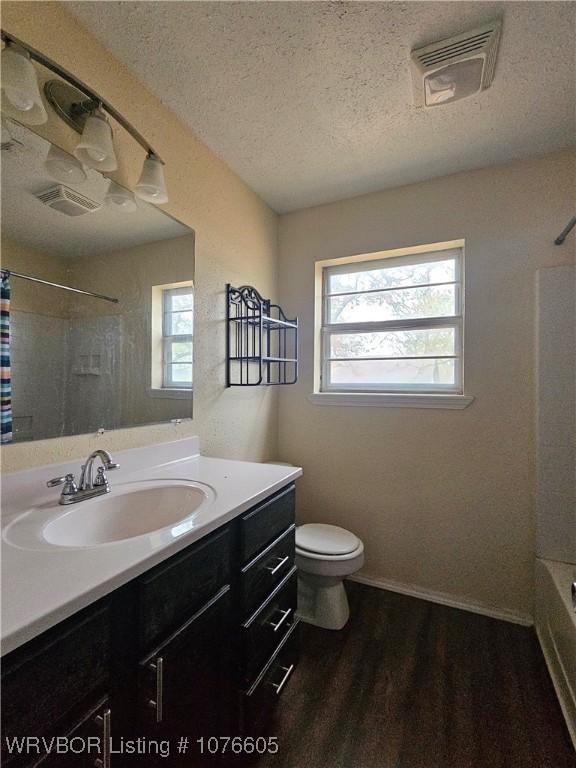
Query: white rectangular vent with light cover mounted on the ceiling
(457, 67)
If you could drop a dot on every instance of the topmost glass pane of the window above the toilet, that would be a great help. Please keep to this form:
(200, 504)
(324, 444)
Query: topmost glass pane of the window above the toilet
(393, 276)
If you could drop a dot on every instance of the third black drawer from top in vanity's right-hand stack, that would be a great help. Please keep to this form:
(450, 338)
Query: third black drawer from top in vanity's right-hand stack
(264, 631)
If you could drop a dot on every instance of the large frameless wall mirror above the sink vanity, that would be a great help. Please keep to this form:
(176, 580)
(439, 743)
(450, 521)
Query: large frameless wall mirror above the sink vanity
(97, 293)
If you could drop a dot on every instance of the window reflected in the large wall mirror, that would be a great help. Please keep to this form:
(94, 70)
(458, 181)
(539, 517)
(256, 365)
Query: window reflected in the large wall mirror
(177, 319)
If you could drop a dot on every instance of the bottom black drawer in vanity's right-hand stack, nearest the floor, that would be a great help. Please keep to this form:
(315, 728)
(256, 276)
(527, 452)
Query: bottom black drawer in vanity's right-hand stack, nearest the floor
(261, 698)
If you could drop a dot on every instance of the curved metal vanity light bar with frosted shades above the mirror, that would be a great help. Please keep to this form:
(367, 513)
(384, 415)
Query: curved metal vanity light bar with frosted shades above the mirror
(81, 108)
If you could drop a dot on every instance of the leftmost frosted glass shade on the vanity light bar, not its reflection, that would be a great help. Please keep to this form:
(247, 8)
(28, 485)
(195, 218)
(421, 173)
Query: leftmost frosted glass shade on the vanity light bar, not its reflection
(21, 97)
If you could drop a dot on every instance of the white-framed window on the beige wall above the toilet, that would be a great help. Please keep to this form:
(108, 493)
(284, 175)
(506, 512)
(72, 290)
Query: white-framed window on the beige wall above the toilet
(393, 325)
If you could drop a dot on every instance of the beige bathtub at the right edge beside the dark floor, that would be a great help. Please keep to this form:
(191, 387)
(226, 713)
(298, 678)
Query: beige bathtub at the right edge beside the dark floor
(556, 628)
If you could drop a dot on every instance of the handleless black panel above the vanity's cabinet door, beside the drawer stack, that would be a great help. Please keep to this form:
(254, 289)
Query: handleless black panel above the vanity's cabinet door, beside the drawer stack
(173, 591)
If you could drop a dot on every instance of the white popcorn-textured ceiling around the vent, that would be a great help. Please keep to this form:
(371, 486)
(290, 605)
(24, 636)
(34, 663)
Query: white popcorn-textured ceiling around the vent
(311, 102)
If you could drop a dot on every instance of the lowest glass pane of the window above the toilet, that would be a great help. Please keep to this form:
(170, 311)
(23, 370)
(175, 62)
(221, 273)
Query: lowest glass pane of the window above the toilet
(393, 373)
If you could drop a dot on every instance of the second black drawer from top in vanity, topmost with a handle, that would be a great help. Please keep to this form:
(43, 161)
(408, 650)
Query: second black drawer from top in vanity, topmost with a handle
(261, 576)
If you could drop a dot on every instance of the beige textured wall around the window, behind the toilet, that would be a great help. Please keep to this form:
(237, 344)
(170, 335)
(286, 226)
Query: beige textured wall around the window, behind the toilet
(442, 499)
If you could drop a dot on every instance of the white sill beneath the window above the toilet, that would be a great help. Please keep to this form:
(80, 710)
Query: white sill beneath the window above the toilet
(389, 400)
